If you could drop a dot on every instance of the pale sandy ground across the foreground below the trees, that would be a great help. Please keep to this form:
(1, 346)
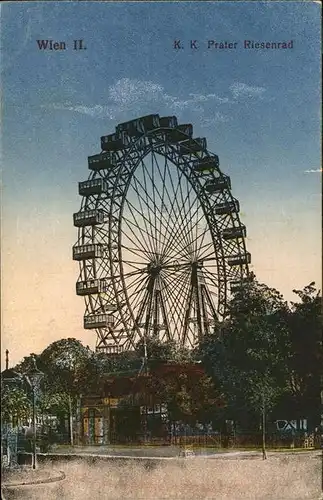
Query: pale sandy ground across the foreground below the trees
(229, 476)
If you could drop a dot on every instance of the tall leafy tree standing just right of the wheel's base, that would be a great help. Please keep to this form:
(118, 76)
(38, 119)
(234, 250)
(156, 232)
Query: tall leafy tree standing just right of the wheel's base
(247, 357)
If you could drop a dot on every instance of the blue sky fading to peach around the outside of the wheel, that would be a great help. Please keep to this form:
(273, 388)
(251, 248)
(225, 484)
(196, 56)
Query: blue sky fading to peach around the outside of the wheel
(258, 108)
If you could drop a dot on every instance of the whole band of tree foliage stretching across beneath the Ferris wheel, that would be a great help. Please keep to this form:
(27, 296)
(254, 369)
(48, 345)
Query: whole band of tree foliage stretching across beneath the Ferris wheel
(266, 352)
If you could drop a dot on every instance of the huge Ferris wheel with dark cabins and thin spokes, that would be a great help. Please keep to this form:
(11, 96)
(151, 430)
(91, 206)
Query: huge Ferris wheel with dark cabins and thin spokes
(160, 244)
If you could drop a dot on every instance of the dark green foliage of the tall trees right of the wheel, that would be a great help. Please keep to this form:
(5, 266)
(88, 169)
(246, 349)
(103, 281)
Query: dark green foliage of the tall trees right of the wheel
(266, 350)
